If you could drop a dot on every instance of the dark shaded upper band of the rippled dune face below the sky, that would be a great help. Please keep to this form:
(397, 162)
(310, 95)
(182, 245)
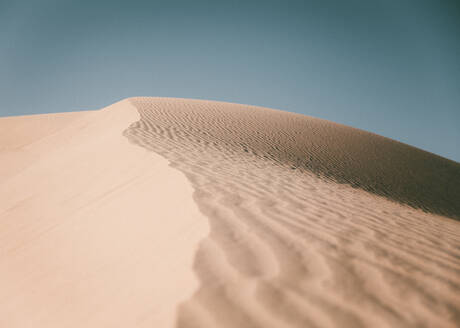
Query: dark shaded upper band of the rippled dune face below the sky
(361, 159)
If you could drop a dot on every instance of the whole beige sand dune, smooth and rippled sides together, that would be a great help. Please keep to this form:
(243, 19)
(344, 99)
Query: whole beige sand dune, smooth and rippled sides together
(160, 212)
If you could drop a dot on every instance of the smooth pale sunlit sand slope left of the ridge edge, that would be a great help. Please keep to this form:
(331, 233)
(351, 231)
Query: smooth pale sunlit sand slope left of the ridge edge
(94, 232)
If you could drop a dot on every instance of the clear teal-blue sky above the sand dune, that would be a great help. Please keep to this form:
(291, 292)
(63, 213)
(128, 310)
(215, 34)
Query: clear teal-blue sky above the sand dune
(390, 67)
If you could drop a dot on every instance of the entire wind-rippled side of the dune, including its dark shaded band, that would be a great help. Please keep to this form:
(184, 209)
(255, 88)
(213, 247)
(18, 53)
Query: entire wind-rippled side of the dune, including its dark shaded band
(292, 242)
